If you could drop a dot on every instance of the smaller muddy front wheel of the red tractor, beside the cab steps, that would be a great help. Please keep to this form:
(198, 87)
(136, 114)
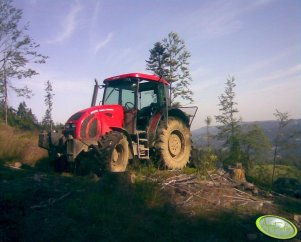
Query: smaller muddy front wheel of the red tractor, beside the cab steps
(115, 147)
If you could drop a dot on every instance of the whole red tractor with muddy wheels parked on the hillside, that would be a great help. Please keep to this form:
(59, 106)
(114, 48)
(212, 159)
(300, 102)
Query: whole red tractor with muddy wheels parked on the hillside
(134, 120)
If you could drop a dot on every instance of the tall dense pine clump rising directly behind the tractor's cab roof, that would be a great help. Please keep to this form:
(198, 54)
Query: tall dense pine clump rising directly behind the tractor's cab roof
(169, 58)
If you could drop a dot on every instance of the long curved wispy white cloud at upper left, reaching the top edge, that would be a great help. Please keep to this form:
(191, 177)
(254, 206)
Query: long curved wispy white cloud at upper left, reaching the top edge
(69, 25)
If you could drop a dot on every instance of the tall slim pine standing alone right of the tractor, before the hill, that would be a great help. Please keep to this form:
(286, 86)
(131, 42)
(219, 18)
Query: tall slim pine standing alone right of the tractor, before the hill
(229, 130)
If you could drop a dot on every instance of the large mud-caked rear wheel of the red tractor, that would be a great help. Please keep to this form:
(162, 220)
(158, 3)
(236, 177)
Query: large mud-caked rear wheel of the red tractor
(174, 143)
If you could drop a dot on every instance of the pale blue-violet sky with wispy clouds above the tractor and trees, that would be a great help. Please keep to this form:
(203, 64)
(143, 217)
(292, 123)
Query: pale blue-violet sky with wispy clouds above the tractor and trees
(258, 42)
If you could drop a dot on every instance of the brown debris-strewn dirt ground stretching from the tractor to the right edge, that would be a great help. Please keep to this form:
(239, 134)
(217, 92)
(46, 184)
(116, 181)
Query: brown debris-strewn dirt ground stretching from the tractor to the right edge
(219, 192)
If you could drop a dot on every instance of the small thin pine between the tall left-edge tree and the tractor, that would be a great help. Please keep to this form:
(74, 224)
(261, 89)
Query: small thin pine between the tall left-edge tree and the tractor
(47, 121)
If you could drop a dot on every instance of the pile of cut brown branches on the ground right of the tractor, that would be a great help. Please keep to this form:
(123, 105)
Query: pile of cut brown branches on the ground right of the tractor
(218, 190)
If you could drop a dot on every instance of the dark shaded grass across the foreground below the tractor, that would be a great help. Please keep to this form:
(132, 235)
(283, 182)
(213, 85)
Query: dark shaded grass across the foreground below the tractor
(112, 209)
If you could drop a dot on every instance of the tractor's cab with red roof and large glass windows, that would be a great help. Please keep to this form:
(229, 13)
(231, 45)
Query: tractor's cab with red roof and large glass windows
(142, 97)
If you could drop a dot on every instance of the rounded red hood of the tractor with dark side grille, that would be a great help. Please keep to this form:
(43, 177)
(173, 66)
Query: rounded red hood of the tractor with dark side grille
(95, 121)
